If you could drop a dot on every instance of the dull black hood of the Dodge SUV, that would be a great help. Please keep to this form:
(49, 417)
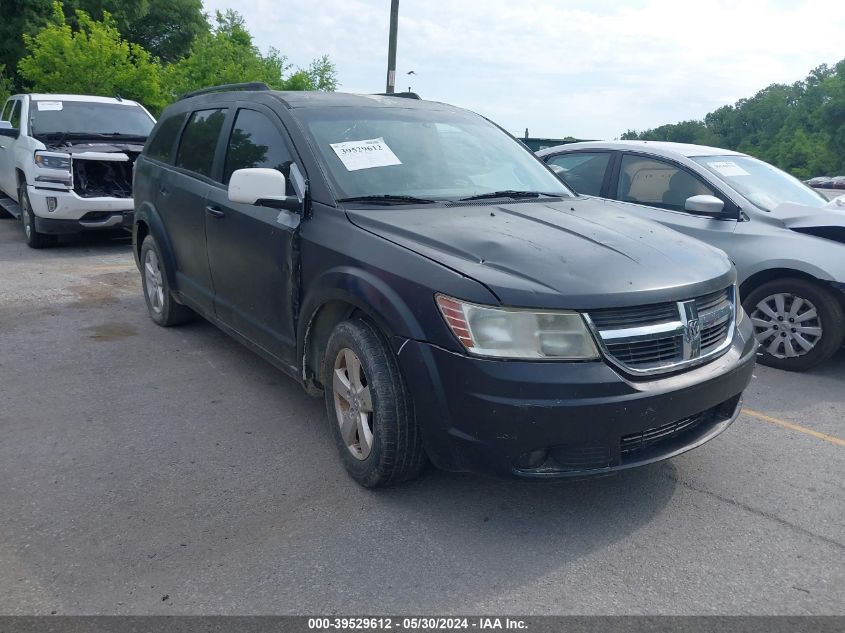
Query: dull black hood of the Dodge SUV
(581, 253)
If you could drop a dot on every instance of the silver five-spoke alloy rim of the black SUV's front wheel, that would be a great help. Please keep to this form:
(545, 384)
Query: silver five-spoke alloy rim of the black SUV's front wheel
(353, 403)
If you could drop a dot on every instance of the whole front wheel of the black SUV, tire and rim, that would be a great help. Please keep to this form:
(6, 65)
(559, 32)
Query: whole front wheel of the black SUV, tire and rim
(383, 445)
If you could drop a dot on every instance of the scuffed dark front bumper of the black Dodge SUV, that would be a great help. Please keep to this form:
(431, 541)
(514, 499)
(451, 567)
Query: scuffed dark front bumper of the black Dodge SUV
(551, 419)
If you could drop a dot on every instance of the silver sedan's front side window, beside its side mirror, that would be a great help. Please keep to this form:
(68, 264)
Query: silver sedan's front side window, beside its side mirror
(657, 183)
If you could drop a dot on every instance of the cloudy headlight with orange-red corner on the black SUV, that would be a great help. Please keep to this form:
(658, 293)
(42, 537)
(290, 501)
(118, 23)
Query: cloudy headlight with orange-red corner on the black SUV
(517, 333)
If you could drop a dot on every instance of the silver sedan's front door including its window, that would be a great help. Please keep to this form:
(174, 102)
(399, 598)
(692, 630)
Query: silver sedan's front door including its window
(658, 189)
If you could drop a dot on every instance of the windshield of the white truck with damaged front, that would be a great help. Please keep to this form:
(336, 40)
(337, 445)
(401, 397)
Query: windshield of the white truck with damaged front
(86, 117)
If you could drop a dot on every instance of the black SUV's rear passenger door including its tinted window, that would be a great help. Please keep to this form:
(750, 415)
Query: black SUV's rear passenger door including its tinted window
(182, 200)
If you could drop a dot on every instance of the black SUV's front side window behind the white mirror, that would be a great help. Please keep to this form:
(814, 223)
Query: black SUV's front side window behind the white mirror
(255, 142)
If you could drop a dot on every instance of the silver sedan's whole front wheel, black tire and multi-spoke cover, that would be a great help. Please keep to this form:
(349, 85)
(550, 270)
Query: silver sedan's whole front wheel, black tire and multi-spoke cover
(798, 323)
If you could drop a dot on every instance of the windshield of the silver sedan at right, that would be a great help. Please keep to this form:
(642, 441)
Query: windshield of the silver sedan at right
(763, 184)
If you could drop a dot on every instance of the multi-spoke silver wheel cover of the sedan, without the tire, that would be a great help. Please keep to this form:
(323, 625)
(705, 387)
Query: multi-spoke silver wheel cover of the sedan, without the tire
(786, 326)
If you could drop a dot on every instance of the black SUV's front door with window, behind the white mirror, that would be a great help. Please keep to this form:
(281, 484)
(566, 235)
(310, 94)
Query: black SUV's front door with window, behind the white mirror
(250, 247)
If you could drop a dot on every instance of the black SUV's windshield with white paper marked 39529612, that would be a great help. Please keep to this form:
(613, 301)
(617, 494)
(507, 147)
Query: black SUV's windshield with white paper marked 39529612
(423, 154)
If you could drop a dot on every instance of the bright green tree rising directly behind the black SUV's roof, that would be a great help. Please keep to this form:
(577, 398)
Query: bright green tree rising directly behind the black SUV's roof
(227, 54)
